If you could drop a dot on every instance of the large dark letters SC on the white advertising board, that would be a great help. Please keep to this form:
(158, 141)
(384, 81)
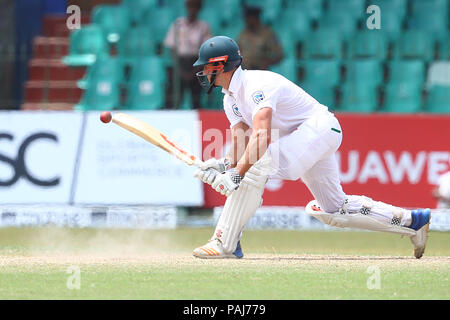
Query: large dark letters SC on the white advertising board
(18, 164)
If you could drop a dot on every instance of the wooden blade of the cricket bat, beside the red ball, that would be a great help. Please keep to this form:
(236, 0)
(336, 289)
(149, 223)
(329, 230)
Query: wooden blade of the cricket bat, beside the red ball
(154, 136)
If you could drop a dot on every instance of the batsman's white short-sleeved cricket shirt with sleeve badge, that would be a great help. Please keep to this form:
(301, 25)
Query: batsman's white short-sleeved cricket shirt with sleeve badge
(252, 90)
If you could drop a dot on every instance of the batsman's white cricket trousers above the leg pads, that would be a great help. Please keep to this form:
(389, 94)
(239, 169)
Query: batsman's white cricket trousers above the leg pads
(309, 153)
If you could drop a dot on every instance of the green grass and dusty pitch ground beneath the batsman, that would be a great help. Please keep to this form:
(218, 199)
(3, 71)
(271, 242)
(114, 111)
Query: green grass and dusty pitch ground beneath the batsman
(157, 264)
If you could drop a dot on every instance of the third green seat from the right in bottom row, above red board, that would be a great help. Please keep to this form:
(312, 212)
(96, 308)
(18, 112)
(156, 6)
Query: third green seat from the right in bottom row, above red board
(358, 97)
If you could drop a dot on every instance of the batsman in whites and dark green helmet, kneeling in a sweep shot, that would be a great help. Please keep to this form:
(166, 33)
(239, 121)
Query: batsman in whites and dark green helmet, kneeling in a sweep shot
(304, 146)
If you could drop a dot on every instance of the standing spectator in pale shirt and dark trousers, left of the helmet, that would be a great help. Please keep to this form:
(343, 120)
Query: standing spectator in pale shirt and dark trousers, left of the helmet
(184, 38)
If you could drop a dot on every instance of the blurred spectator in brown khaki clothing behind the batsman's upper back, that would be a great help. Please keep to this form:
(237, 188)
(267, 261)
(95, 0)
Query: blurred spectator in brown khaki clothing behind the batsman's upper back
(258, 43)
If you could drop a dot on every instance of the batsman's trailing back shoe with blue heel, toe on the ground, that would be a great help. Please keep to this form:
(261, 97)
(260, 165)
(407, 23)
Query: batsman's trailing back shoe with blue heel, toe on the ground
(421, 223)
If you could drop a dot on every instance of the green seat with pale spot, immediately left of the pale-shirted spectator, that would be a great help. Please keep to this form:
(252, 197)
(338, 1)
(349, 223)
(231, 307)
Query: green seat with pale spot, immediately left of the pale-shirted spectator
(146, 85)
